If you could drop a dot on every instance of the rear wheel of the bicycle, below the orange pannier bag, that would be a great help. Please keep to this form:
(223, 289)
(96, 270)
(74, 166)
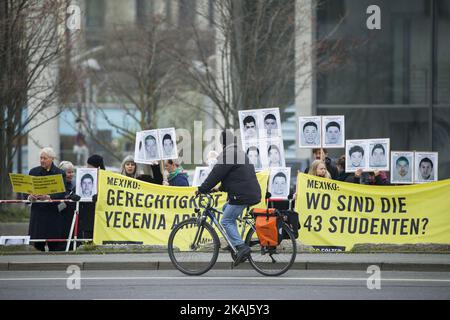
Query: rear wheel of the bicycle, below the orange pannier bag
(272, 261)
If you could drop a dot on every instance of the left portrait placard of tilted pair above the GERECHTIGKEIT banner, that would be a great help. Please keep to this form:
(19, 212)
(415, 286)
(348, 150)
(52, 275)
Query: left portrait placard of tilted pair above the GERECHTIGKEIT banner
(147, 148)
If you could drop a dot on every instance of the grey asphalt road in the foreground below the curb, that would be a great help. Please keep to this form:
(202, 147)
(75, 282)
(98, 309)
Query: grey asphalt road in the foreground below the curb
(222, 284)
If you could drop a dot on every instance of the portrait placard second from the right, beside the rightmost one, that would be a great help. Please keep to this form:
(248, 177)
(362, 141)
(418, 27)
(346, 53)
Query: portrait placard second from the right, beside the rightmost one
(402, 167)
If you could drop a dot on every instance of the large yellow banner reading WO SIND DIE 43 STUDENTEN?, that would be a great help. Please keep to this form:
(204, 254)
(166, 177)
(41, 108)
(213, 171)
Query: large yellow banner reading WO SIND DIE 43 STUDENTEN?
(334, 215)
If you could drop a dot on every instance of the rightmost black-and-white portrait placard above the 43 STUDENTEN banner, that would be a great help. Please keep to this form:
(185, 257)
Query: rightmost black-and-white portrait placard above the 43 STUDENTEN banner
(425, 167)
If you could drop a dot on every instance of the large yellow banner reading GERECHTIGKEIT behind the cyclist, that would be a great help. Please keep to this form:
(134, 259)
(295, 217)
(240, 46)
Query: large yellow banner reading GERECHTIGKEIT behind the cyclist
(137, 212)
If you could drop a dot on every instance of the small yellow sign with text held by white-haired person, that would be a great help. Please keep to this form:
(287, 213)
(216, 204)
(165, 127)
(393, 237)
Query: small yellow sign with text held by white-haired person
(41, 185)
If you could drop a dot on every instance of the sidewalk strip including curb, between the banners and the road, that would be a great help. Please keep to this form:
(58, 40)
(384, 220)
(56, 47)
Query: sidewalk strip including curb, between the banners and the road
(161, 261)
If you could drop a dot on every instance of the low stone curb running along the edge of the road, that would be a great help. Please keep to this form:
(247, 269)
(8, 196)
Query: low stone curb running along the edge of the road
(167, 265)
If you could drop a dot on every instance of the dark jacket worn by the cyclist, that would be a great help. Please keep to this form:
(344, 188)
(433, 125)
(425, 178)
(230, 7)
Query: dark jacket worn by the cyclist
(237, 176)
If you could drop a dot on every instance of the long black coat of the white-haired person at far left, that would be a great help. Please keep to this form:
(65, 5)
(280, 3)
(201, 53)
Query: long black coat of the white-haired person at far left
(46, 222)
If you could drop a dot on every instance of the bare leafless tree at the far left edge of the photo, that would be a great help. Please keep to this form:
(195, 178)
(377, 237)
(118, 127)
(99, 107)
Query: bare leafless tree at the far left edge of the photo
(31, 44)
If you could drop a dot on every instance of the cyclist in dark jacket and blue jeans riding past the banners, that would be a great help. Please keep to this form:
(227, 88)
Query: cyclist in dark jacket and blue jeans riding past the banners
(237, 177)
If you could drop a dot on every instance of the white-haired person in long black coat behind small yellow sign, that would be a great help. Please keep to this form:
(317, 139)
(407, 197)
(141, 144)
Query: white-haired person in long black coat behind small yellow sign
(46, 221)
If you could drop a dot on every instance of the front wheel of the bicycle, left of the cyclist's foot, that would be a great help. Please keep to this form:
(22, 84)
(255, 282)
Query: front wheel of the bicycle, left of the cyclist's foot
(193, 249)
